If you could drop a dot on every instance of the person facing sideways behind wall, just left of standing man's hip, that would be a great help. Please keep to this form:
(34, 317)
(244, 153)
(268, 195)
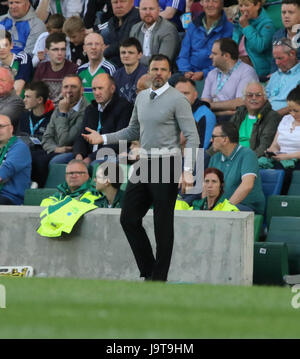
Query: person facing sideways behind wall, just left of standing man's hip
(109, 177)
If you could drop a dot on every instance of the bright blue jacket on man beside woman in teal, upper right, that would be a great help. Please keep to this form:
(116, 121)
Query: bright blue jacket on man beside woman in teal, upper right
(197, 44)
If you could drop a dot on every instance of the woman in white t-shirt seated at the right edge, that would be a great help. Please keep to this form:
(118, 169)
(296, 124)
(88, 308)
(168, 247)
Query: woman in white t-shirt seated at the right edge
(285, 148)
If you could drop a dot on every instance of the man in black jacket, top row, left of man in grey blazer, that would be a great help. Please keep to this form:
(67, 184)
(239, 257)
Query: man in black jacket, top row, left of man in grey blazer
(119, 26)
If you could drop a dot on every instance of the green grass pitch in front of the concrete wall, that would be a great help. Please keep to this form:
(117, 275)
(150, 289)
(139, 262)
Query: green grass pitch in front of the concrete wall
(82, 308)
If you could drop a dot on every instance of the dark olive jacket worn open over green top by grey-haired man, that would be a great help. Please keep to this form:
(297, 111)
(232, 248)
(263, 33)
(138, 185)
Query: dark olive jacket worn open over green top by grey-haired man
(264, 129)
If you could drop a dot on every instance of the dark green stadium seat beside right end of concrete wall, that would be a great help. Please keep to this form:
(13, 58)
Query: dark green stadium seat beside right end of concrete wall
(270, 263)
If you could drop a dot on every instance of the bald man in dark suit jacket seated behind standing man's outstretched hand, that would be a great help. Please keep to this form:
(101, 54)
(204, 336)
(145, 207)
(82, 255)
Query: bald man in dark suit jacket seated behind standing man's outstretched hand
(107, 113)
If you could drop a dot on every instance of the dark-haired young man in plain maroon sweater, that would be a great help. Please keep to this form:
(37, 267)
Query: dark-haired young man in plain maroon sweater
(53, 72)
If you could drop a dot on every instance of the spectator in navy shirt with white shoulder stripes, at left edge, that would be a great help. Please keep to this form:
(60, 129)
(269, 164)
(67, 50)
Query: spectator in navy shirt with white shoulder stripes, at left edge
(20, 64)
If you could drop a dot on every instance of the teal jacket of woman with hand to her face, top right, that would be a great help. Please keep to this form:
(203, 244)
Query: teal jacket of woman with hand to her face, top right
(258, 41)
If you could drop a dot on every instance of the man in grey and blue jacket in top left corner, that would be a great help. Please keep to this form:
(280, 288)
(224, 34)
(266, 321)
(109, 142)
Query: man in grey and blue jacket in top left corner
(23, 24)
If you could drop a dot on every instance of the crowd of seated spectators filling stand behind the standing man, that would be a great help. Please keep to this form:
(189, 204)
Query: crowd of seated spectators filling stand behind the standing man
(69, 65)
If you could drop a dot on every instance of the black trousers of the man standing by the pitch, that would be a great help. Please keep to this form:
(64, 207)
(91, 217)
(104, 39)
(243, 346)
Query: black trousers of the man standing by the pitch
(138, 199)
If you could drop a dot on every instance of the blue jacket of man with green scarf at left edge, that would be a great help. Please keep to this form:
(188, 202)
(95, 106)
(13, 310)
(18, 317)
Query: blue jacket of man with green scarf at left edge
(15, 170)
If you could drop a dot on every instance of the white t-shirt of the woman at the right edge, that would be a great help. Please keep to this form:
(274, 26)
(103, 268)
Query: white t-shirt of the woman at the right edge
(288, 141)
